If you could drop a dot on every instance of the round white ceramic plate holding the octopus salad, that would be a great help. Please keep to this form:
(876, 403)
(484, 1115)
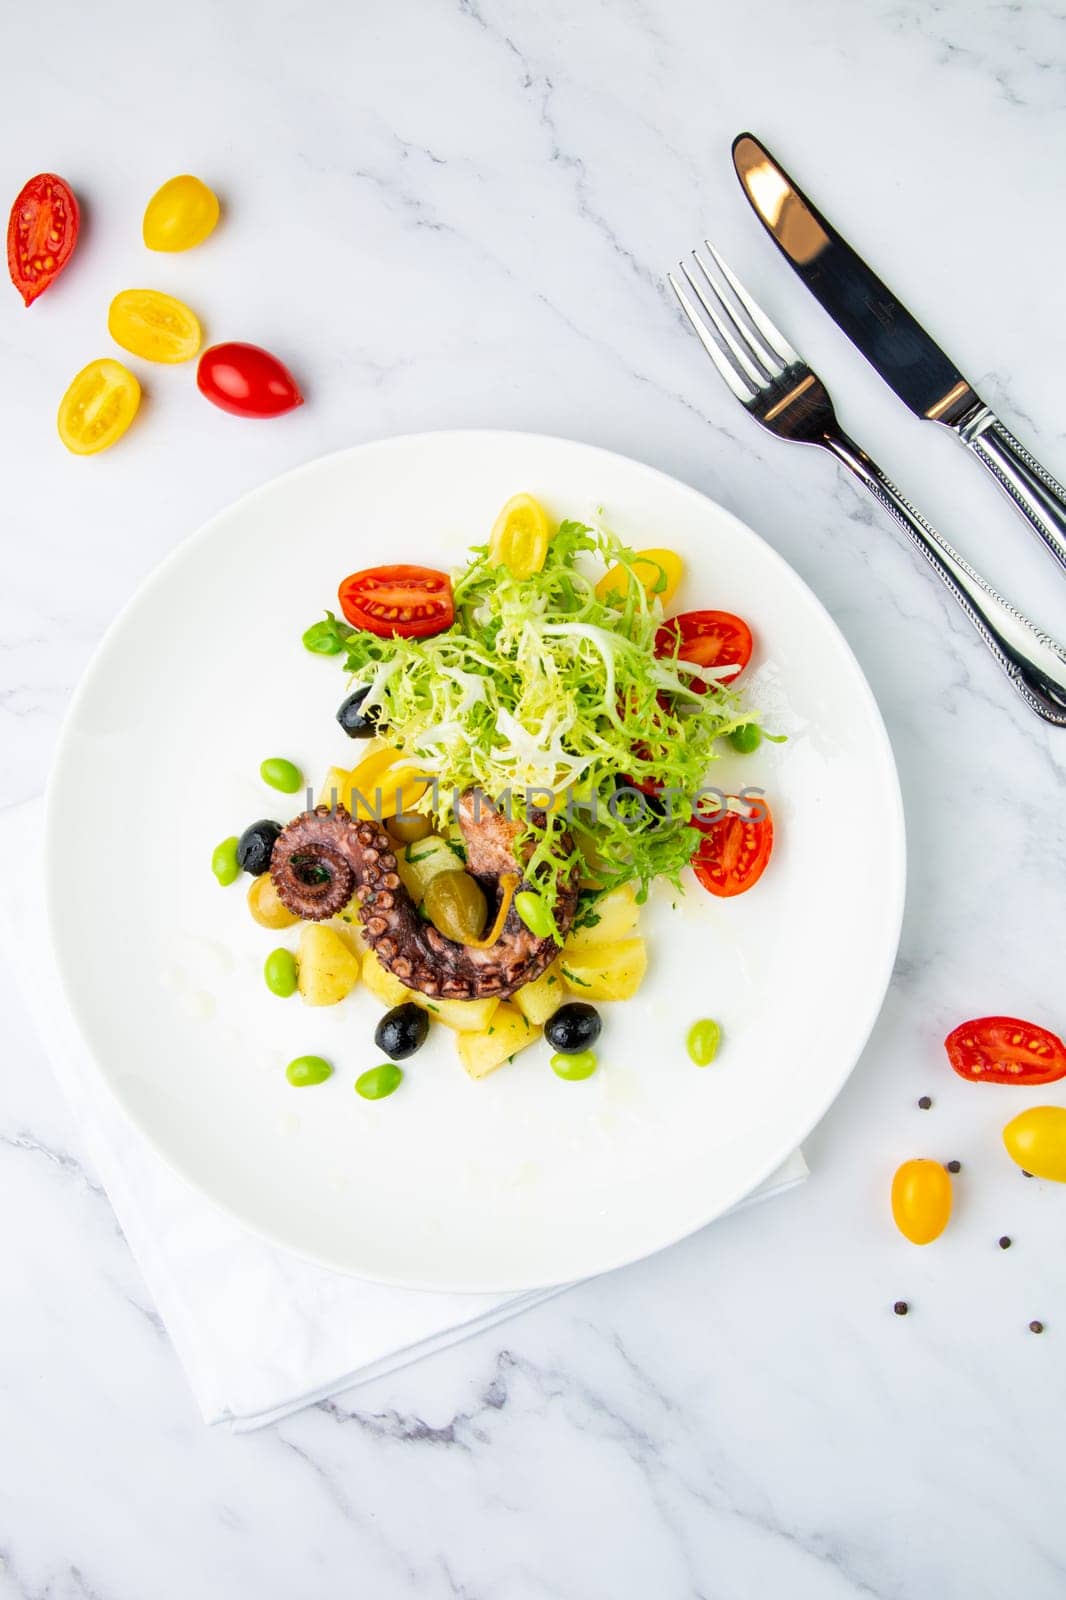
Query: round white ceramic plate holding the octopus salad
(519, 1180)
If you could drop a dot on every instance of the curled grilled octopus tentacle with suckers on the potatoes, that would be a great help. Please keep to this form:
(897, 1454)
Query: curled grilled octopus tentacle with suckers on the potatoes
(327, 857)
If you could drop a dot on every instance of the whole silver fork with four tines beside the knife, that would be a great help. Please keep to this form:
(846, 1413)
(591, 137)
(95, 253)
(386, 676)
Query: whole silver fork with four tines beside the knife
(782, 393)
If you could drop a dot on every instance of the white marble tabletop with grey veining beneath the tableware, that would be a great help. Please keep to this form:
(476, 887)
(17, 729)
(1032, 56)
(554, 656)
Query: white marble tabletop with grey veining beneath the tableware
(460, 214)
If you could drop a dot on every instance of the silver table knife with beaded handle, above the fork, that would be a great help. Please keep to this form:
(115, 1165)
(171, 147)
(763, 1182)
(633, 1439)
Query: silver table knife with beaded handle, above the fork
(894, 343)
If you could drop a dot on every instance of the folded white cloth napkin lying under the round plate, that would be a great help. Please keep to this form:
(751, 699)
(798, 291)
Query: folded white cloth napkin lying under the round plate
(258, 1330)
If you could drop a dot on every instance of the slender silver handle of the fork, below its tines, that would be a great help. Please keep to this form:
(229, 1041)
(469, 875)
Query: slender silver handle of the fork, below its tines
(1032, 660)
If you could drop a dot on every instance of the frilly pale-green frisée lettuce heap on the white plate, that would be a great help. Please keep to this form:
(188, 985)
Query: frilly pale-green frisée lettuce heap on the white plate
(542, 686)
